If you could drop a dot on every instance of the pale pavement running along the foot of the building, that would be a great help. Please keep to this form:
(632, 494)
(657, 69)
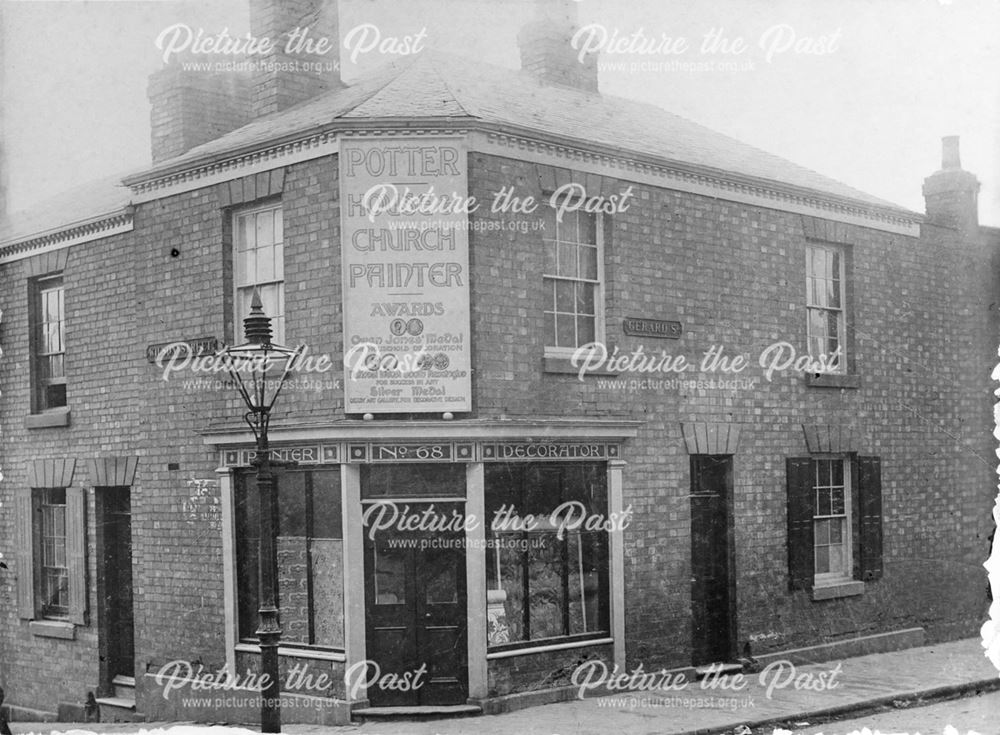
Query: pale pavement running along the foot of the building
(793, 697)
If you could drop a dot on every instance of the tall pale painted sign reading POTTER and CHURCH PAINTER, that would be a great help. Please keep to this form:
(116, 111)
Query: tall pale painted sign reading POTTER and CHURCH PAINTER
(405, 266)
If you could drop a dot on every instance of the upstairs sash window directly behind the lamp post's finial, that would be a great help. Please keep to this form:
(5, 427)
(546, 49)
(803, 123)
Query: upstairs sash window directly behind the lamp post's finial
(259, 262)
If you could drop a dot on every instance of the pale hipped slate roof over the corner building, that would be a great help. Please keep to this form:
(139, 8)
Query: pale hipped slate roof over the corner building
(438, 85)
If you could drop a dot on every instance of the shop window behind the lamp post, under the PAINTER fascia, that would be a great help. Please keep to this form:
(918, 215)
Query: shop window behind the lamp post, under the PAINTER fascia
(310, 556)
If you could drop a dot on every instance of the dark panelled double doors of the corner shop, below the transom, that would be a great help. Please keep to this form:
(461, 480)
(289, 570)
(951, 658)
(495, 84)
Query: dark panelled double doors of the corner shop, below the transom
(416, 616)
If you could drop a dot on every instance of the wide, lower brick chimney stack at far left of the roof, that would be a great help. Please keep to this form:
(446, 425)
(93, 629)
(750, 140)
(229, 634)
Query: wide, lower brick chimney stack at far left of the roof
(190, 107)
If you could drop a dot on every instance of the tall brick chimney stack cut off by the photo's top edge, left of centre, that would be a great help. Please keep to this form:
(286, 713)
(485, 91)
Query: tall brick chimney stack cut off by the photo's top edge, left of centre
(286, 82)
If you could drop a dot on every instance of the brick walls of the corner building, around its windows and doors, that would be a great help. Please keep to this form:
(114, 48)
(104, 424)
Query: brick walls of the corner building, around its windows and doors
(732, 273)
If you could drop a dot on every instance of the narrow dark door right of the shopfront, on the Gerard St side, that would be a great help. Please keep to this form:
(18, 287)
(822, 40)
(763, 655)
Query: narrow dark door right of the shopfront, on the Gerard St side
(712, 610)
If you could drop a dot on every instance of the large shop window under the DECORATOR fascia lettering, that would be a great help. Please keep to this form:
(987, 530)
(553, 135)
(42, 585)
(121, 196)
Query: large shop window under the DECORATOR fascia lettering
(546, 565)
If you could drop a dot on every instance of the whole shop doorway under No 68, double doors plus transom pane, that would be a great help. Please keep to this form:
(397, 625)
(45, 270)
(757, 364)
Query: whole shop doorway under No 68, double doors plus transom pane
(415, 586)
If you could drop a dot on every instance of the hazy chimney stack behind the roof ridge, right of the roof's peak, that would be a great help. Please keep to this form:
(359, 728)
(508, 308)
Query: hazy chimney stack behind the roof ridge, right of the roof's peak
(546, 47)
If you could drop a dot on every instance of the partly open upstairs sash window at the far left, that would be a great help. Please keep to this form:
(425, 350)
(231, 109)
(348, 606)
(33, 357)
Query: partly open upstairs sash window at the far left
(48, 344)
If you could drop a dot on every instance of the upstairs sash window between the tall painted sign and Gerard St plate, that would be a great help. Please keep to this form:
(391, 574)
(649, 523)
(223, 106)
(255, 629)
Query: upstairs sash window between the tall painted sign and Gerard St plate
(573, 276)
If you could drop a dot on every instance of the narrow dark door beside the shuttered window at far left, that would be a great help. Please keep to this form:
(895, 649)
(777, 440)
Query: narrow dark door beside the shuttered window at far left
(118, 581)
